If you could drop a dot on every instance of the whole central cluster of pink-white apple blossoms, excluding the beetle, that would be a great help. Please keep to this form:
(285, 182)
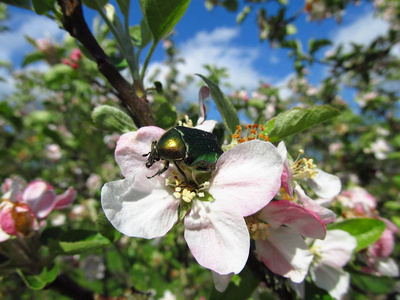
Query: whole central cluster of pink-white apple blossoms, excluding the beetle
(254, 193)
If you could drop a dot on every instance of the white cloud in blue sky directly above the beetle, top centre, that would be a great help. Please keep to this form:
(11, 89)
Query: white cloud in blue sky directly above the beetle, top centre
(217, 48)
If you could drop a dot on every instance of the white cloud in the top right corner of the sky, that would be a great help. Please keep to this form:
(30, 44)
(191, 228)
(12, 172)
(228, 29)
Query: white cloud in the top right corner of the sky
(362, 31)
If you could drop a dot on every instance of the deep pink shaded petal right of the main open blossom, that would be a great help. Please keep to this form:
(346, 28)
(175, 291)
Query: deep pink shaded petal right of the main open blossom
(284, 212)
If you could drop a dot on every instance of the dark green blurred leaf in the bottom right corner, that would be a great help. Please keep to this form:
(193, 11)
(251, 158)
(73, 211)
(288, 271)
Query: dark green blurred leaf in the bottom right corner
(371, 283)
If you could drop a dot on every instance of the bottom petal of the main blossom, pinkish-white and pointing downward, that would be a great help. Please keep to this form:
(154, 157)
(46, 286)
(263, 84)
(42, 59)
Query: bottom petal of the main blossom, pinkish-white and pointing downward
(217, 237)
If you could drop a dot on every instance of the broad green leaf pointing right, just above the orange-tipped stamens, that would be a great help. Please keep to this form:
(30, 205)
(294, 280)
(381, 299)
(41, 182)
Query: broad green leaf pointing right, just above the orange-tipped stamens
(298, 119)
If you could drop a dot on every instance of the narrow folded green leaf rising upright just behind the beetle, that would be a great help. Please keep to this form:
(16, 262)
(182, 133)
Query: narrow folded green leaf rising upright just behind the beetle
(224, 105)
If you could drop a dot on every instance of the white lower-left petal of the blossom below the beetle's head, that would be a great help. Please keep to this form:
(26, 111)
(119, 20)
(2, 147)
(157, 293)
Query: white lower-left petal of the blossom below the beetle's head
(140, 207)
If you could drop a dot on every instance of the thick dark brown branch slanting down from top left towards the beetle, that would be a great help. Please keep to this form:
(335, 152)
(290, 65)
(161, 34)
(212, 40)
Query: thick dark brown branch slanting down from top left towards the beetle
(75, 24)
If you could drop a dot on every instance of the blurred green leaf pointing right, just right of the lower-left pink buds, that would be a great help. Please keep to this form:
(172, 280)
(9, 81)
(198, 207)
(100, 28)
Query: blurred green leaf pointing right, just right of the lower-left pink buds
(78, 241)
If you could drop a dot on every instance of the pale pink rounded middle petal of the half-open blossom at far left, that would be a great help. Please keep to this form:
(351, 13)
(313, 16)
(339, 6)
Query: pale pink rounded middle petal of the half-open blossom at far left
(40, 196)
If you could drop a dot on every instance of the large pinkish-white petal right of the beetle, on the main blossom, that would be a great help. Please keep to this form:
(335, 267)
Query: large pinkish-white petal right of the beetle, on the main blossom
(248, 176)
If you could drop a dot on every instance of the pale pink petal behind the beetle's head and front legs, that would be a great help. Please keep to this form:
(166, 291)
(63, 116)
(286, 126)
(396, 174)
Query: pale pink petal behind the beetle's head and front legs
(132, 146)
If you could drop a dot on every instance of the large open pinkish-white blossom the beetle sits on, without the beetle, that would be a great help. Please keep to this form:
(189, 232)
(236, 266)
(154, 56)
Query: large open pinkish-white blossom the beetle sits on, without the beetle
(246, 178)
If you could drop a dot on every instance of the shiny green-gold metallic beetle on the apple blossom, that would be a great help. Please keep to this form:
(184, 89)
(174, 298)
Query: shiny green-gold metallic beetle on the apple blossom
(194, 147)
